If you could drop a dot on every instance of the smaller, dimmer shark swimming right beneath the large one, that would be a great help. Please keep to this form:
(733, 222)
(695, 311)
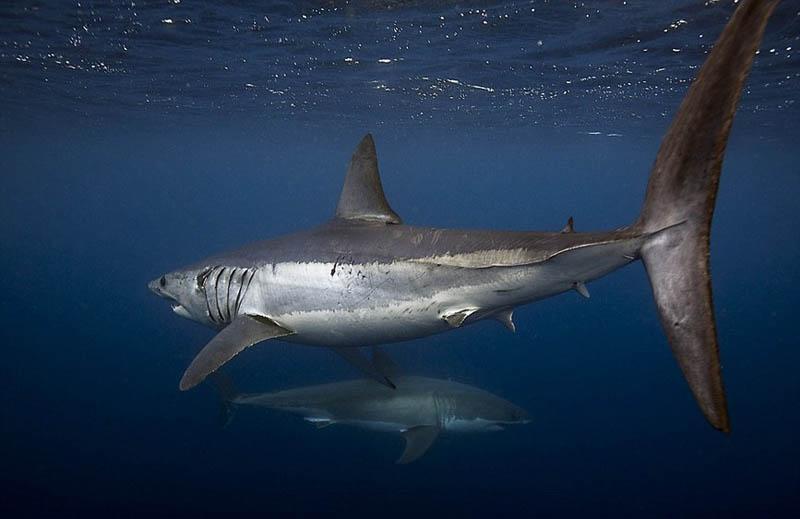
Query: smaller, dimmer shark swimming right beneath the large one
(420, 408)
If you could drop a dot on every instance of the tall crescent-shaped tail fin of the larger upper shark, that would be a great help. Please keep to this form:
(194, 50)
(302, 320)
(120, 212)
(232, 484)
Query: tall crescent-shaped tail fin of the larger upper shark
(682, 190)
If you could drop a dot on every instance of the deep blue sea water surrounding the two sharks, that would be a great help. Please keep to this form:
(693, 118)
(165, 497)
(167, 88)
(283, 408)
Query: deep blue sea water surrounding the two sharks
(136, 137)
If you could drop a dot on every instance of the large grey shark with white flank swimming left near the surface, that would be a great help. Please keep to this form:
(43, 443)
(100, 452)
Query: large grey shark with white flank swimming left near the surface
(365, 278)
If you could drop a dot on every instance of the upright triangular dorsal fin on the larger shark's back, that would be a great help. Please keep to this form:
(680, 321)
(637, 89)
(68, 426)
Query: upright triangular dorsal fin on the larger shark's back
(362, 196)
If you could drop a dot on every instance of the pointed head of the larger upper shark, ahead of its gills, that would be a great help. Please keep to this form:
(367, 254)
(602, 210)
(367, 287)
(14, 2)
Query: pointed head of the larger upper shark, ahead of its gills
(184, 290)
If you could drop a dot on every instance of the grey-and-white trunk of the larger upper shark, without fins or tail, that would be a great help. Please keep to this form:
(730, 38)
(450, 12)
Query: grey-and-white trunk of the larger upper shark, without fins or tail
(358, 283)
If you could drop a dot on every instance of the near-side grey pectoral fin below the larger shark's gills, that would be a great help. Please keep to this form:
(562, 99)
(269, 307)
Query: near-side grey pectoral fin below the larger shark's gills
(243, 332)
